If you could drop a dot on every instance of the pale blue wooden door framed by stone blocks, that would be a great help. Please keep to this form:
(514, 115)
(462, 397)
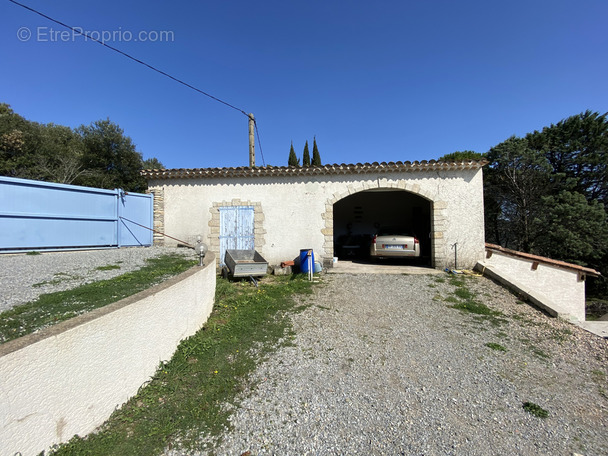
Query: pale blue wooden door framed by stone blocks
(236, 229)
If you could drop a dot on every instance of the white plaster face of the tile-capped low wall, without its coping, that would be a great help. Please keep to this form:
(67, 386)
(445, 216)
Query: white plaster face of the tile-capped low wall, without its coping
(560, 286)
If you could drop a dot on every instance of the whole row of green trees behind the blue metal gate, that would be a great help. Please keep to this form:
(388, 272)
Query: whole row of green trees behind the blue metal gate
(98, 155)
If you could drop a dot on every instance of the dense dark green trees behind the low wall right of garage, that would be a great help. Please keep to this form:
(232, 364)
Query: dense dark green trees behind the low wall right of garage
(547, 193)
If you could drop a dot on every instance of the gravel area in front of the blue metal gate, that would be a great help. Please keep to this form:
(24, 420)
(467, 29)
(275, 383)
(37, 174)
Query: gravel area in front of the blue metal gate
(25, 277)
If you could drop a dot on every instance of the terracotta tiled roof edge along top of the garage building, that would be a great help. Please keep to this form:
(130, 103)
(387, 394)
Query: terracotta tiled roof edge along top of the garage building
(359, 168)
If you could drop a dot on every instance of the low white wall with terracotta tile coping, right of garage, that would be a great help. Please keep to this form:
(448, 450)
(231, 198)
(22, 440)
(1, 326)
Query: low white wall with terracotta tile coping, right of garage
(554, 286)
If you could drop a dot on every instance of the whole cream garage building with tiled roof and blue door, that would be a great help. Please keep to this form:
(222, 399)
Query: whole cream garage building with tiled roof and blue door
(332, 209)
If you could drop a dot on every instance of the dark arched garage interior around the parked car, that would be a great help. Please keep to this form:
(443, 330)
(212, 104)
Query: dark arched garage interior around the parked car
(358, 217)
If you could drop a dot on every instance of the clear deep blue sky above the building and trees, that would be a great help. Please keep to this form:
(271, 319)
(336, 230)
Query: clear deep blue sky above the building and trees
(373, 81)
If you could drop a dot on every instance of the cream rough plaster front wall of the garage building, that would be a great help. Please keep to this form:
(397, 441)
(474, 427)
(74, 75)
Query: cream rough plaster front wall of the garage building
(298, 211)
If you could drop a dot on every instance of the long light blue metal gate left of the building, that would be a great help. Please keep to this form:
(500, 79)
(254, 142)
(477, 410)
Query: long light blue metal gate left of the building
(41, 215)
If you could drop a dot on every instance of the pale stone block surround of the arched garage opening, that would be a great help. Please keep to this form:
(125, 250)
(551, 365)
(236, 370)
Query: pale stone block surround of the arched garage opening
(436, 214)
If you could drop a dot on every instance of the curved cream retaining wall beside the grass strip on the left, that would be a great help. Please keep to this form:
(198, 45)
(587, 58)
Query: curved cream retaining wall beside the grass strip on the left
(69, 378)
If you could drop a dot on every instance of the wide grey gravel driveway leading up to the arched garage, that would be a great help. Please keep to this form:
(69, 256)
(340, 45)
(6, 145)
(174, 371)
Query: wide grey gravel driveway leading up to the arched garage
(382, 366)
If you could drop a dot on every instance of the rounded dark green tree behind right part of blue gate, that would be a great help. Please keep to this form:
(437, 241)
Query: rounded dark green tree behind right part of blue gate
(110, 157)
